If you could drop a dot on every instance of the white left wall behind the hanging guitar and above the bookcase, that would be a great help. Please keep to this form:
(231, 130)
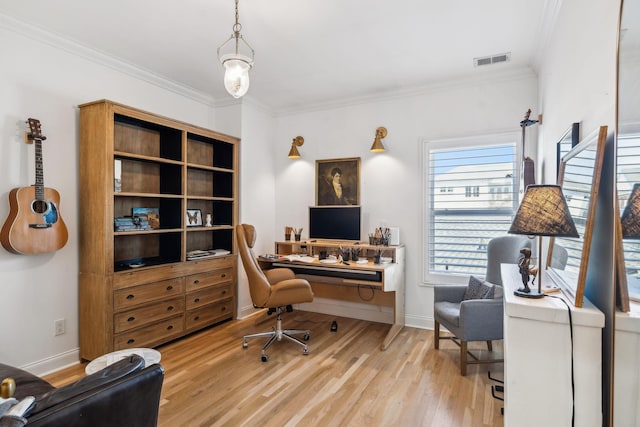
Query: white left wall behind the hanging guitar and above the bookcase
(47, 83)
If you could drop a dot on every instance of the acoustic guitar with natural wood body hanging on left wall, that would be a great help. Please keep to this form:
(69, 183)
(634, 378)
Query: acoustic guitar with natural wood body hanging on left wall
(34, 224)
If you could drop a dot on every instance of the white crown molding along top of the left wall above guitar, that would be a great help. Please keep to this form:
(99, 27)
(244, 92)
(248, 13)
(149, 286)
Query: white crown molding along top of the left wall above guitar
(104, 59)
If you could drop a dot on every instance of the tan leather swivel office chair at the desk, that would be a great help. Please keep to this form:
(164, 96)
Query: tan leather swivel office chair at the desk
(275, 289)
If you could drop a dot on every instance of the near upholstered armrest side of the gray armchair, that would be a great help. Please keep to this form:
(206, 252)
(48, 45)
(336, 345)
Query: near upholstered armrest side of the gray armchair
(482, 319)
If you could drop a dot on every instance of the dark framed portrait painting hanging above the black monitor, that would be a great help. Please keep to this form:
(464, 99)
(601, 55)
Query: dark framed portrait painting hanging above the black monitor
(348, 192)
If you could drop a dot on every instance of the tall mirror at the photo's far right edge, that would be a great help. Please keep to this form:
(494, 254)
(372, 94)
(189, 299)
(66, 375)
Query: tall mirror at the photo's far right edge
(626, 381)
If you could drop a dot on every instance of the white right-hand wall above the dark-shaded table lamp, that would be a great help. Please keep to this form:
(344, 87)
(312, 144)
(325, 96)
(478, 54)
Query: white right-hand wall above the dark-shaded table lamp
(577, 76)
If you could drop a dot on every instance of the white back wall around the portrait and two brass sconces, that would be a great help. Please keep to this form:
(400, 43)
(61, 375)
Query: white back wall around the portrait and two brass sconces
(391, 187)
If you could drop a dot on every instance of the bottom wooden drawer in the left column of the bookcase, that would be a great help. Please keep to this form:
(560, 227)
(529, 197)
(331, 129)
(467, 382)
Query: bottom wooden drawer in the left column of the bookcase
(152, 335)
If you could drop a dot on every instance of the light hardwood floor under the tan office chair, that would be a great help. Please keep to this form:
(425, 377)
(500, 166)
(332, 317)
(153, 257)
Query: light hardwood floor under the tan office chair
(210, 380)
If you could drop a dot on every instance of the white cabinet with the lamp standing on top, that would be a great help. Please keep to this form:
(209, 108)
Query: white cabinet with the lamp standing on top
(537, 359)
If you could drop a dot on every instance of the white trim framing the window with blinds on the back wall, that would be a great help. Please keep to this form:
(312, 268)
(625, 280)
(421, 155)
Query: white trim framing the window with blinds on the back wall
(500, 137)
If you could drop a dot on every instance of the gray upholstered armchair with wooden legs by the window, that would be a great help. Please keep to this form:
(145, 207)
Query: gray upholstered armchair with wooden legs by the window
(477, 319)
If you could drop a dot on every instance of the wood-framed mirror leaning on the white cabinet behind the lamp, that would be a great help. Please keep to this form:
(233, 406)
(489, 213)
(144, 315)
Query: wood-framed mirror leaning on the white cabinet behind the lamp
(579, 176)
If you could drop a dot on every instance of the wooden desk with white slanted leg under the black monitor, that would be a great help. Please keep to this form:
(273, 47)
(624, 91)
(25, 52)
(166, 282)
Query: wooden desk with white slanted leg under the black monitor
(377, 284)
